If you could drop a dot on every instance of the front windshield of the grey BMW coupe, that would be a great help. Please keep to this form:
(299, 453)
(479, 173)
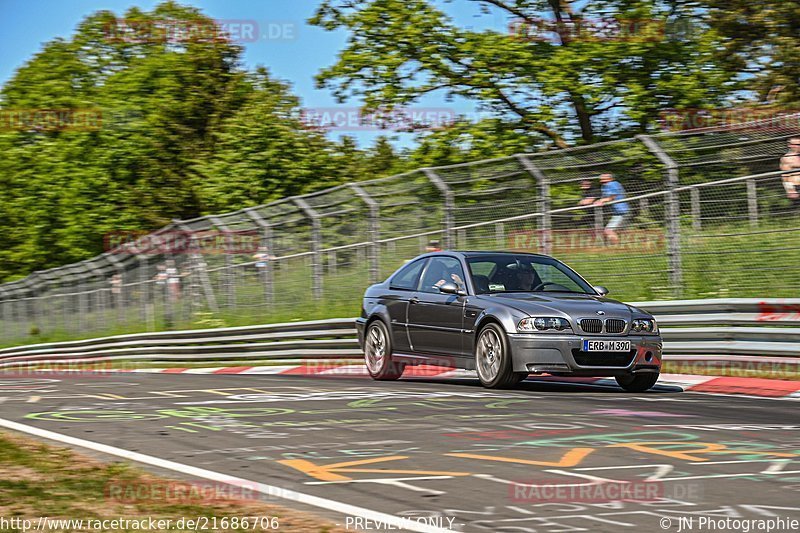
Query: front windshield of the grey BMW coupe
(524, 273)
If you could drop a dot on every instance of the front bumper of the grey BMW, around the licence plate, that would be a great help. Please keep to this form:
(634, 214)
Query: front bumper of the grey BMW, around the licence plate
(562, 355)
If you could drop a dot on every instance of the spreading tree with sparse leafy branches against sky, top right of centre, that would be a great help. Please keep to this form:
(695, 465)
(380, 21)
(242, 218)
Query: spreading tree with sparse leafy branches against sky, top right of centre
(572, 86)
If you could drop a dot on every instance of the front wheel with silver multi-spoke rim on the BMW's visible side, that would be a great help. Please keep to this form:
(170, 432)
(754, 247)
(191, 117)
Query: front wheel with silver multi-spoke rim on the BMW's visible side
(493, 359)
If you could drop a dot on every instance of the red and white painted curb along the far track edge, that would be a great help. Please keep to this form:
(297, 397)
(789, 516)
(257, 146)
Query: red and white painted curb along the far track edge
(769, 388)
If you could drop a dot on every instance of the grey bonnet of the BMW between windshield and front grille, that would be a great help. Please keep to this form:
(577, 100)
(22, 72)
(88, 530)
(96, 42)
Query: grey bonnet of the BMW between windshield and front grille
(574, 305)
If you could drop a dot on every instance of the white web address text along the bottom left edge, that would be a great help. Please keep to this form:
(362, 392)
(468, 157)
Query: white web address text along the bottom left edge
(199, 523)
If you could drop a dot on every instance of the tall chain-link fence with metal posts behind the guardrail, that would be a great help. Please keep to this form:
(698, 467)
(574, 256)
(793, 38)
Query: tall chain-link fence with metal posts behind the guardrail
(706, 215)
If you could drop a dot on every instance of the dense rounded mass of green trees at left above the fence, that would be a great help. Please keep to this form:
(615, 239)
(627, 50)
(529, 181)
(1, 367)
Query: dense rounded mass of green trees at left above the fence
(185, 131)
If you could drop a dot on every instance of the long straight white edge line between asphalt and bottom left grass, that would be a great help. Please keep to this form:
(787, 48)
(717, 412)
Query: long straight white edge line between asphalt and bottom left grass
(271, 490)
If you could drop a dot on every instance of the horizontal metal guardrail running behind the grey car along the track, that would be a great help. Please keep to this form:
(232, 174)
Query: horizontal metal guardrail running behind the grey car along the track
(715, 329)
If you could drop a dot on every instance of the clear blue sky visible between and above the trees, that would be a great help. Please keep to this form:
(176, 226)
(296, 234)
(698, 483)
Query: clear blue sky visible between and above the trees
(25, 25)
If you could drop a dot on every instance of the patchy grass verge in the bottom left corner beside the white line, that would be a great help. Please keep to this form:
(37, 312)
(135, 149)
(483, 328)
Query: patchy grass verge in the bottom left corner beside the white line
(38, 480)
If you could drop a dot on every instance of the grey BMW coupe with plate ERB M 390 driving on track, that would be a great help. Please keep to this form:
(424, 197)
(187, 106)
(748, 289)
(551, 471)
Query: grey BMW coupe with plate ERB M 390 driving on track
(505, 315)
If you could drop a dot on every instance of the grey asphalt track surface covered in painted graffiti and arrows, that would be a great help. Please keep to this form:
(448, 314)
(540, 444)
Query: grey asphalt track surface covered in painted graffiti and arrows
(476, 460)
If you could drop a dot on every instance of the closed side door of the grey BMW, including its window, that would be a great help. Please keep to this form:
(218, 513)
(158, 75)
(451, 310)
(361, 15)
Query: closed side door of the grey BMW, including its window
(435, 319)
